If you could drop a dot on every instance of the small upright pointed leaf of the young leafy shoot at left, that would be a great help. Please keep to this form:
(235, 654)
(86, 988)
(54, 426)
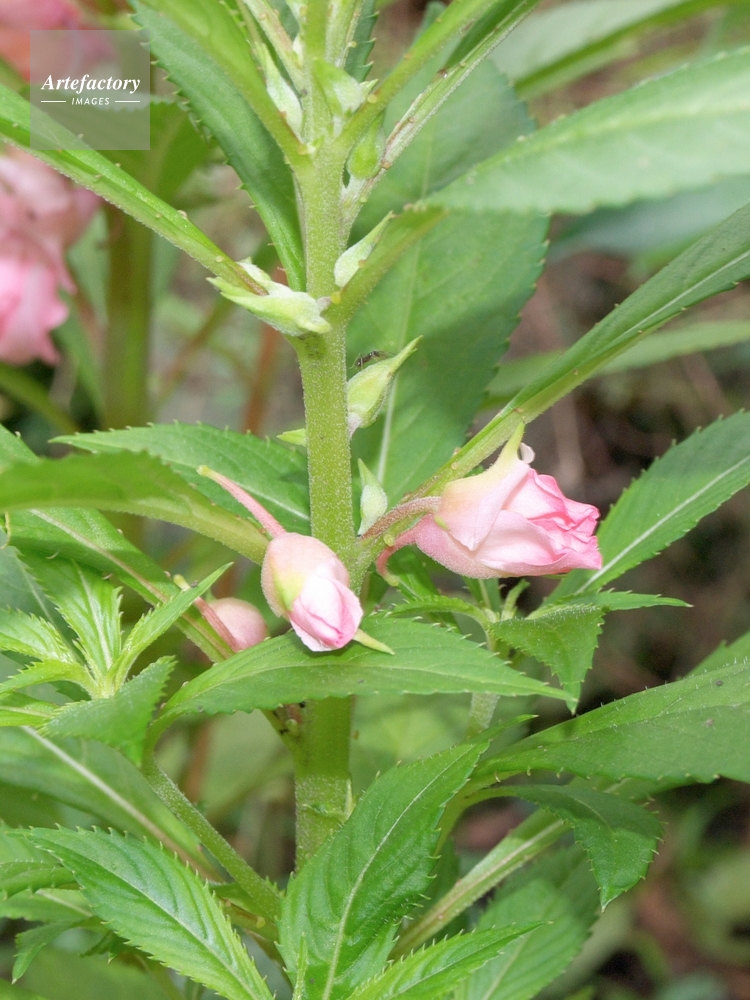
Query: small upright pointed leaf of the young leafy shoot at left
(89, 604)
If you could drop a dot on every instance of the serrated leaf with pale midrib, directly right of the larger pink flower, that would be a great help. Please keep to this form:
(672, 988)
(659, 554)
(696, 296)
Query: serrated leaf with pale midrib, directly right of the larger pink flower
(669, 498)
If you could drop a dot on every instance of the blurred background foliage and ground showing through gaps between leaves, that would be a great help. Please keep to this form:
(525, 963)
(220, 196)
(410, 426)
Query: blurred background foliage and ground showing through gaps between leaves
(684, 934)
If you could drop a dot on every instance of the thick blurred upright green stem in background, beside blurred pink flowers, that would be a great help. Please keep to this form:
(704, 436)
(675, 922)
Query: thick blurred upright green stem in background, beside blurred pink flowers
(126, 350)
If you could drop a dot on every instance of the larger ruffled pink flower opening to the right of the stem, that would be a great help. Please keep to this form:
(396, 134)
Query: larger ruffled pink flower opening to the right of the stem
(507, 521)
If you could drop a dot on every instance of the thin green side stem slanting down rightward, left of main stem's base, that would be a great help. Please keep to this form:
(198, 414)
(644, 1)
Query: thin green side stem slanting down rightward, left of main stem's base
(264, 895)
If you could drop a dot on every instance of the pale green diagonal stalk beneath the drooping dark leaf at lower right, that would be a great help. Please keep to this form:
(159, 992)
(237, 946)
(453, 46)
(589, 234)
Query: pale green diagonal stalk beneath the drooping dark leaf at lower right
(528, 840)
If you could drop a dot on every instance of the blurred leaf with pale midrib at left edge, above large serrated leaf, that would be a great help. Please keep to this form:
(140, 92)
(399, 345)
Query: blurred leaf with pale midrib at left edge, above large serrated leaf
(92, 778)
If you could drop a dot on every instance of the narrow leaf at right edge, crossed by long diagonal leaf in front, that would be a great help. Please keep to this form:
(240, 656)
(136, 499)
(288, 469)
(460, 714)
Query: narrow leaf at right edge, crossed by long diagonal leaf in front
(512, 376)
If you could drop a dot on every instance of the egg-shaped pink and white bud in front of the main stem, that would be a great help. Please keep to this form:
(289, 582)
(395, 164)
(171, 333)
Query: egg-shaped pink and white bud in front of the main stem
(306, 583)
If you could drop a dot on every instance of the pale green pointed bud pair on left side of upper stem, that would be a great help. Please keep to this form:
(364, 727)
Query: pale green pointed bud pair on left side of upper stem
(292, 313)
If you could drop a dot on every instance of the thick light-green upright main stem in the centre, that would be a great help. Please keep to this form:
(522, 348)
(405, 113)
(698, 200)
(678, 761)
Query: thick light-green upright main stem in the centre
(323, 788)
